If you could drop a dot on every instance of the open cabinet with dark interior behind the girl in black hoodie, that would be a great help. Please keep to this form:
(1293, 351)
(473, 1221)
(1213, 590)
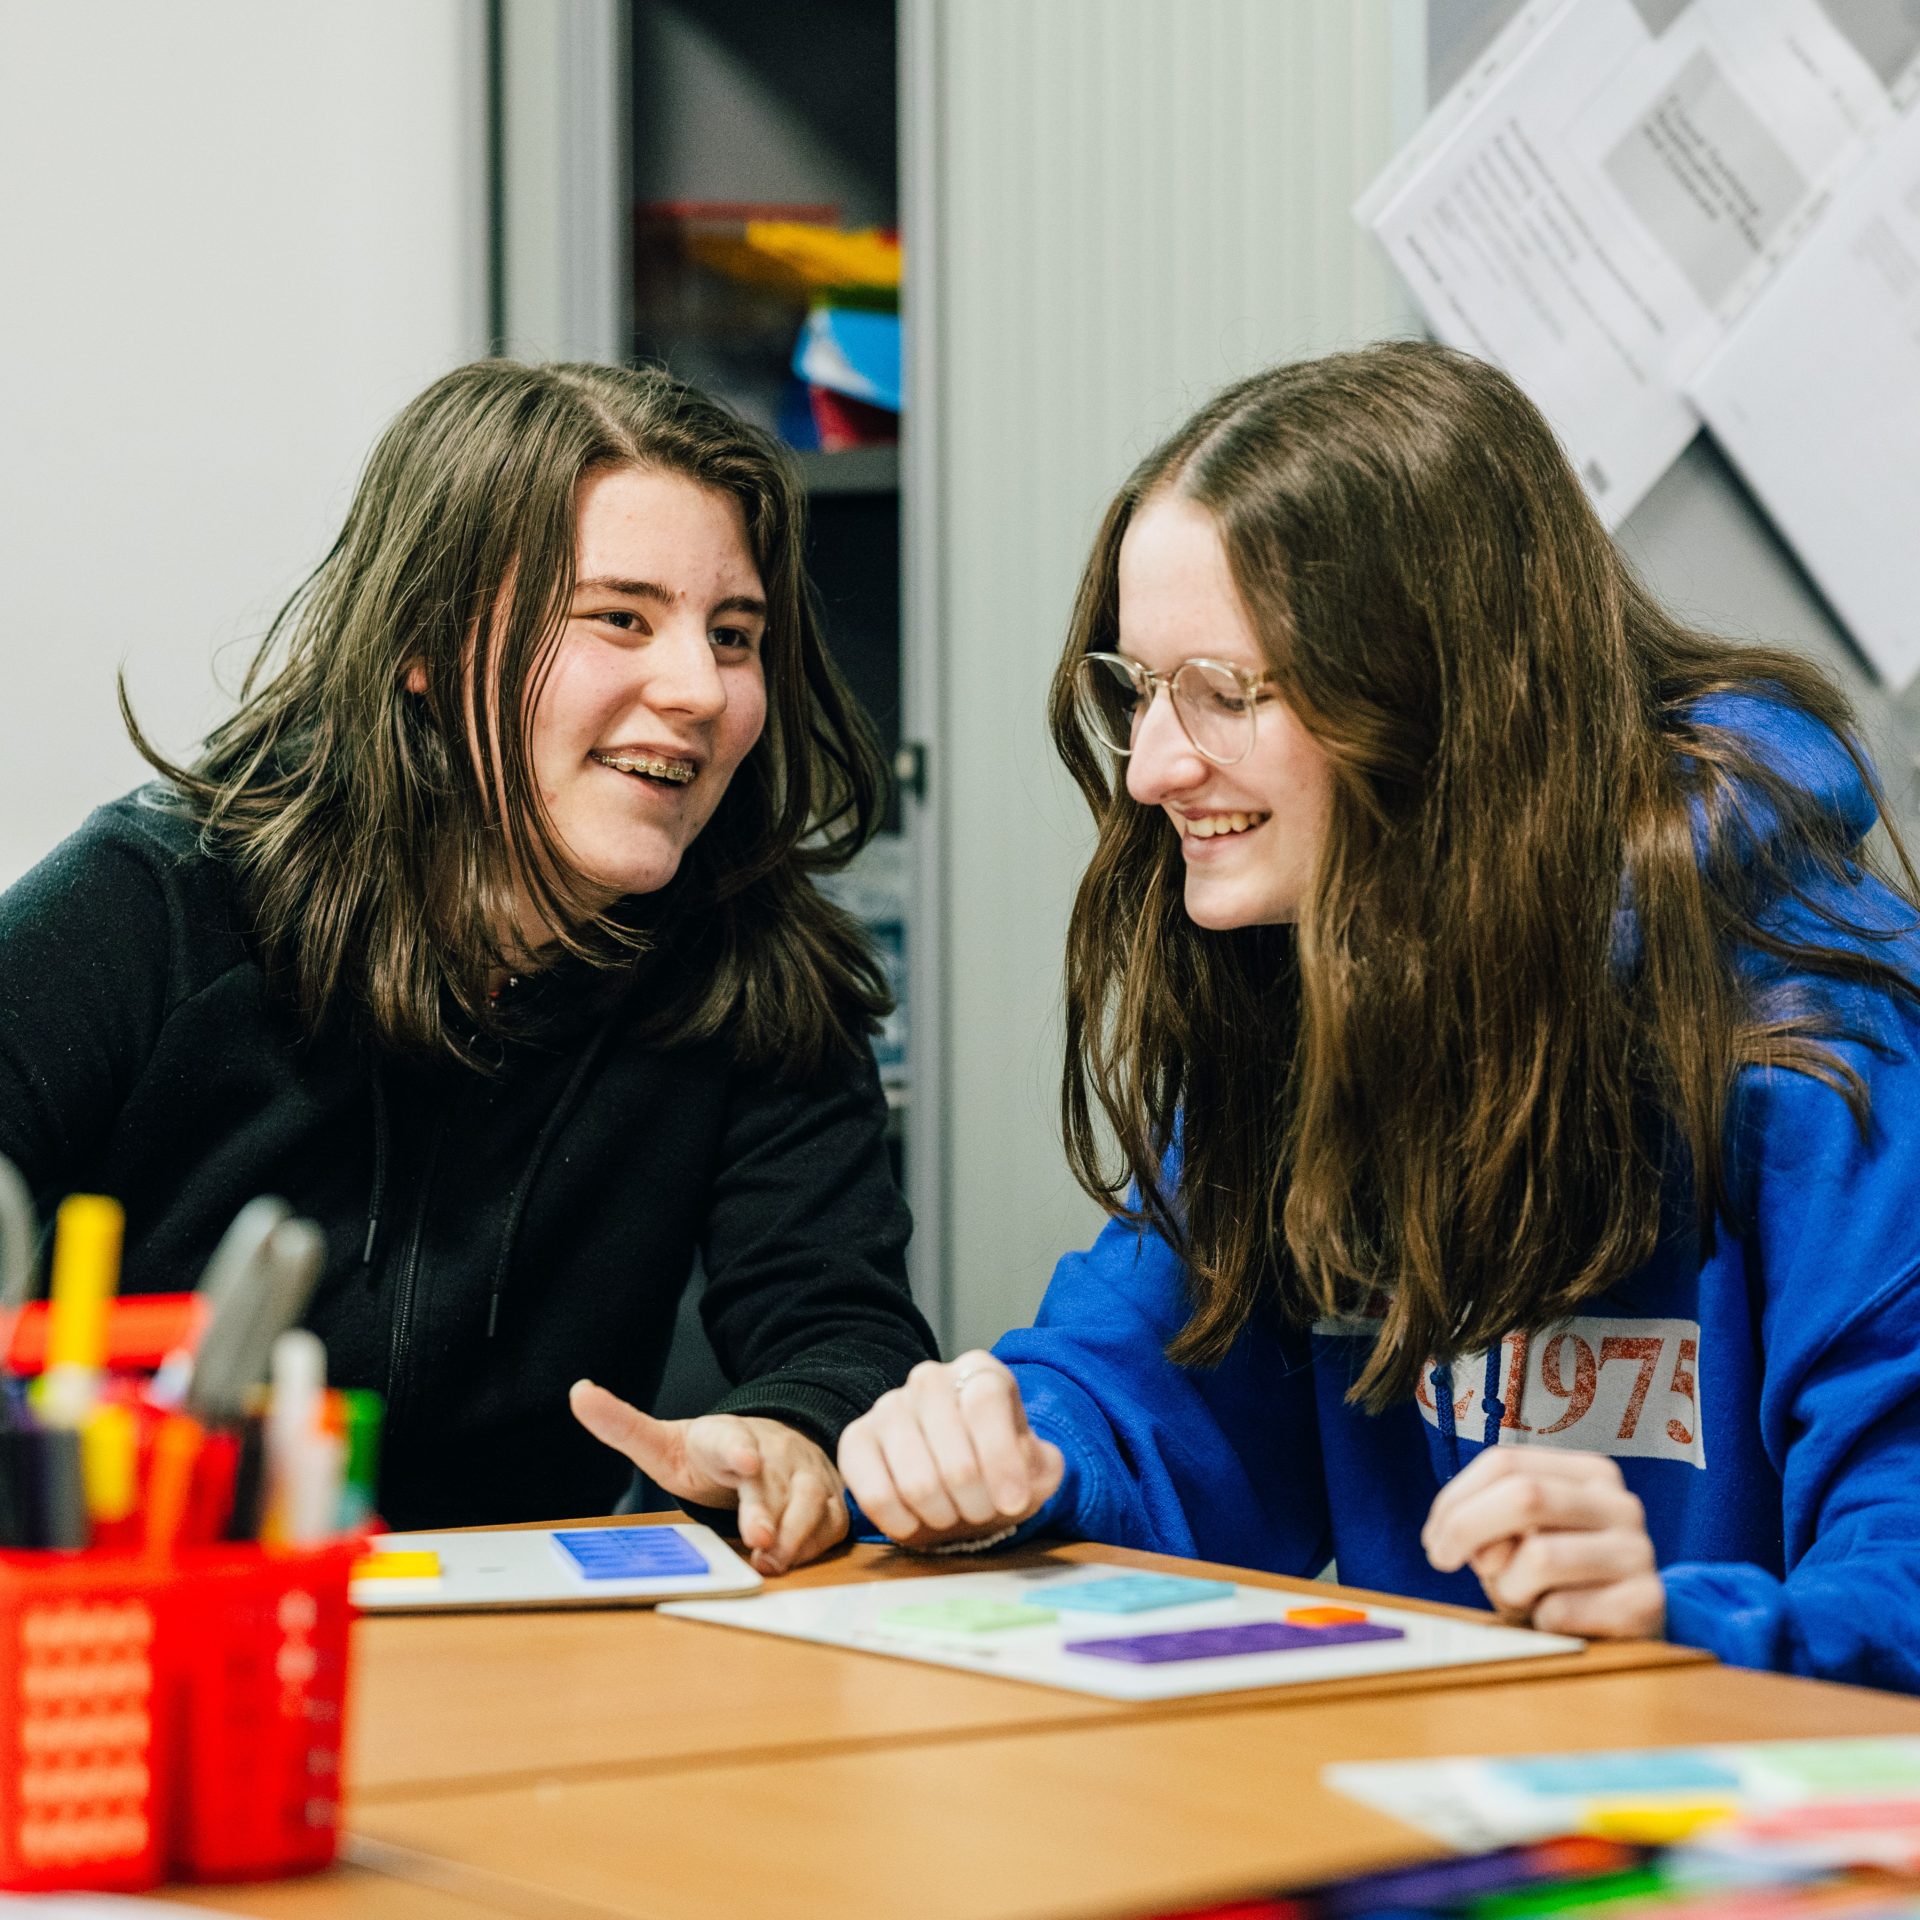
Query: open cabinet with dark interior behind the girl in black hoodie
(642, 143)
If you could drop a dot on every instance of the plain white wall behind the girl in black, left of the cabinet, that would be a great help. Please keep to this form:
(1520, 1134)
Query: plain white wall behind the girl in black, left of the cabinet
(235, 239)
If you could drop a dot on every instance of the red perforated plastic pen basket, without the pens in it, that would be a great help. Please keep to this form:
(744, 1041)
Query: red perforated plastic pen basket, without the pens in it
(172, 1719)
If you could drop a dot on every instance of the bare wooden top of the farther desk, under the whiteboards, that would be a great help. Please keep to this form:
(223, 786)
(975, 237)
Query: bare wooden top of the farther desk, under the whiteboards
(446, 1702)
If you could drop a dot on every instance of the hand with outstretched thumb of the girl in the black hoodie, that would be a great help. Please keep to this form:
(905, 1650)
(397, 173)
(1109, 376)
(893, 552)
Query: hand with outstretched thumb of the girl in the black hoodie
(782, 1483)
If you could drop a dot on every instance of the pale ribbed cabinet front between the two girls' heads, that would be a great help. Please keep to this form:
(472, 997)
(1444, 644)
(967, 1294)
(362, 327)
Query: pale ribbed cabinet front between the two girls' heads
(1115, 208)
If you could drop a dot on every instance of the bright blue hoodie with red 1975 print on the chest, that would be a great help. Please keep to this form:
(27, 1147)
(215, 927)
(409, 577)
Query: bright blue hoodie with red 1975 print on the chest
(1764, 1401)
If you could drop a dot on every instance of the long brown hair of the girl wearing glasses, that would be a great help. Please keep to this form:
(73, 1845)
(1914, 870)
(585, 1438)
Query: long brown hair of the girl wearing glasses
(1508, 1020)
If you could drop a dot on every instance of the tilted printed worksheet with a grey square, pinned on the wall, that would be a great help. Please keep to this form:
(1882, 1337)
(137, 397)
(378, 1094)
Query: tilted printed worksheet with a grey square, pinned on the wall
(1602, 197)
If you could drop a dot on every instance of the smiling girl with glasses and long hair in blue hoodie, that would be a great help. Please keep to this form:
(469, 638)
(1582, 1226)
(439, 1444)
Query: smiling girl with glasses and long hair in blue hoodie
(1499, 1055)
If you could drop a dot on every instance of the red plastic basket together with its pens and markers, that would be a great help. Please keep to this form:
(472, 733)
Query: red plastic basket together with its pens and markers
(174, 1681)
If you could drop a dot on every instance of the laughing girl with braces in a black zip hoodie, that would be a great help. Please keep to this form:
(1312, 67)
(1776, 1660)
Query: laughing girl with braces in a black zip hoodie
(485, 932)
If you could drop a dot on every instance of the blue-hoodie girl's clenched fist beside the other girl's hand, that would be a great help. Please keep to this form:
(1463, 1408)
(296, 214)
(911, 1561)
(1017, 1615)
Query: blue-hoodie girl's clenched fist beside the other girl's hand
(949, 1456)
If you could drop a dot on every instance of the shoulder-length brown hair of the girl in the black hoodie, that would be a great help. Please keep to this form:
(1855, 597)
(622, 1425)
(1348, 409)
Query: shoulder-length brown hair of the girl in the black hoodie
(381, 861)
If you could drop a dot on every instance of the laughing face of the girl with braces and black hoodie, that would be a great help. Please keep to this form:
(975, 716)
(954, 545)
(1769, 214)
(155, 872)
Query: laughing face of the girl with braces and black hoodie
(656, 692)
